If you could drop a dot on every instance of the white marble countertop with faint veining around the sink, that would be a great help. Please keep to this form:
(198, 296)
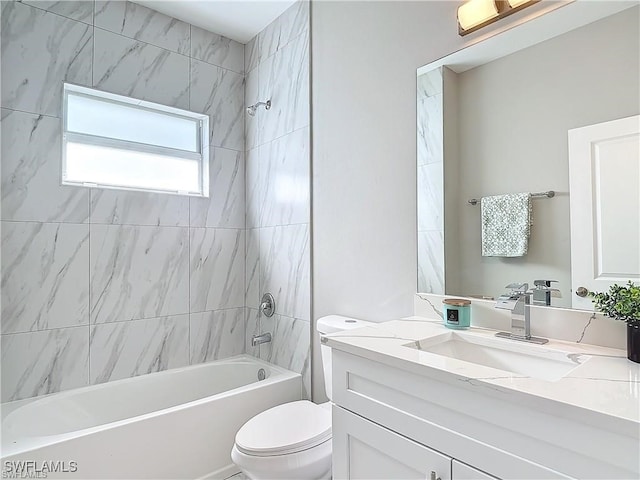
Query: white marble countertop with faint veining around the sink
(604, 388)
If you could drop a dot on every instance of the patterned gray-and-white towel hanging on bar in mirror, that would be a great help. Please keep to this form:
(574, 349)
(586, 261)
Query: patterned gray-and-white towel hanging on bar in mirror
(506, 224)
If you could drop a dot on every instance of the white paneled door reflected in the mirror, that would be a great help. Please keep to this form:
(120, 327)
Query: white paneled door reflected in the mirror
(604, 180)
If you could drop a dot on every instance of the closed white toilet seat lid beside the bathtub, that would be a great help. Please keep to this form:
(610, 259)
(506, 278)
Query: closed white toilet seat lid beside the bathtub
(285, 429)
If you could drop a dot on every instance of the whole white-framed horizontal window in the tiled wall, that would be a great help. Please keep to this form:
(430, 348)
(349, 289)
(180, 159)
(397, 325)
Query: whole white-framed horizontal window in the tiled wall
(111, 141)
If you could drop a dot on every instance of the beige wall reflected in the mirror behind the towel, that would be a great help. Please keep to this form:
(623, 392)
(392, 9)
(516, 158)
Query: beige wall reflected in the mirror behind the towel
(513, 117)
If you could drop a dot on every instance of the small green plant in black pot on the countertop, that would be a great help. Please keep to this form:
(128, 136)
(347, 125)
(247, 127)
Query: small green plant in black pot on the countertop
(622, 302)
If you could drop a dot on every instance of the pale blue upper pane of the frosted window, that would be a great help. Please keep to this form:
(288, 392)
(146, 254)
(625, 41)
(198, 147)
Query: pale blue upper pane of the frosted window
(94, 116)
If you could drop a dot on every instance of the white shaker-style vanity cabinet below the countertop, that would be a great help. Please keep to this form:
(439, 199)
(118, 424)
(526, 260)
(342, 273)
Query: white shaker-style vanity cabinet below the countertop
(393, 423)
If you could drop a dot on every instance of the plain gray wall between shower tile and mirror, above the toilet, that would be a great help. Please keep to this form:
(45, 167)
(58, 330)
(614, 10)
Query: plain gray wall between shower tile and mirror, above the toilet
(364, 61)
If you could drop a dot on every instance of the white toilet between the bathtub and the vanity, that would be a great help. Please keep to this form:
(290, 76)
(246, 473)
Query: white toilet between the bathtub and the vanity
(293, 440)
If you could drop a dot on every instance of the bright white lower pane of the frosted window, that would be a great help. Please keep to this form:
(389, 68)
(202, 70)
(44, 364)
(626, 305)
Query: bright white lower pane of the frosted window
(110, 166)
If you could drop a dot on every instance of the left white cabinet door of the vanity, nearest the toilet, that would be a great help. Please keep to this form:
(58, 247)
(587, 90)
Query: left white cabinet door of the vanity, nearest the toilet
(365, 450)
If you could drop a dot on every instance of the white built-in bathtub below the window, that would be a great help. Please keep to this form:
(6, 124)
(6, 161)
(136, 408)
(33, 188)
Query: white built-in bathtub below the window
(178, 423)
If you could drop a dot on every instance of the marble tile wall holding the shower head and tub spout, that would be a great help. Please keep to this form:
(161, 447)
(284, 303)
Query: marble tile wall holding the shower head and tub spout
(277, 176)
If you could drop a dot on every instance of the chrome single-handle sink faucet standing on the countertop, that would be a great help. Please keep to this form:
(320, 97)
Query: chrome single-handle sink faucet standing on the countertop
(518, 302)
